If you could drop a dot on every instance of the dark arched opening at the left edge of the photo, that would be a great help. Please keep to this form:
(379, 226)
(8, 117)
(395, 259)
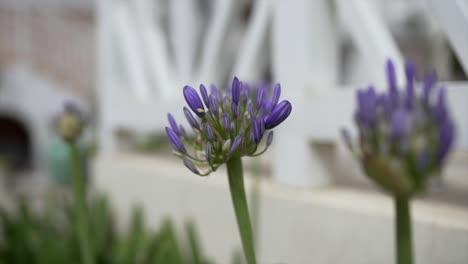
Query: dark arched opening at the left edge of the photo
(15, 144)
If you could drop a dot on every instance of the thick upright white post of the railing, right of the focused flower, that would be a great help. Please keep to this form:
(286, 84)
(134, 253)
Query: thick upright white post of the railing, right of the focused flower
(304, 49)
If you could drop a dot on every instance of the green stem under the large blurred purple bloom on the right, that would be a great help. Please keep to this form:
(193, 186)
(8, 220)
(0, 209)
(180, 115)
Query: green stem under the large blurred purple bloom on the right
(403, 231)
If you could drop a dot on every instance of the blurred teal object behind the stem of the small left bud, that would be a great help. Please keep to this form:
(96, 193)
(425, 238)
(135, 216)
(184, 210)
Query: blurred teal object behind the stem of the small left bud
(60, 161)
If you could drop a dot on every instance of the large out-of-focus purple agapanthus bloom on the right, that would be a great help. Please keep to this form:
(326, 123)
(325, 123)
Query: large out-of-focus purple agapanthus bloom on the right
(404, 135)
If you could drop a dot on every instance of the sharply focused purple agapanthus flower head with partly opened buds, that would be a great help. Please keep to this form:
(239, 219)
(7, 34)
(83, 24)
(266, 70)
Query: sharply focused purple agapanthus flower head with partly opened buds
(227, 124)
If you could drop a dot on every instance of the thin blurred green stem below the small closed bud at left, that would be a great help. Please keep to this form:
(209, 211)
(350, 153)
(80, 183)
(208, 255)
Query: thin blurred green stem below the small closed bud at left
(80, 205)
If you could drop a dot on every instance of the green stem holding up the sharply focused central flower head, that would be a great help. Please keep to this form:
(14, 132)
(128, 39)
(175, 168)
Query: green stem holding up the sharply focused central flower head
(239, 201)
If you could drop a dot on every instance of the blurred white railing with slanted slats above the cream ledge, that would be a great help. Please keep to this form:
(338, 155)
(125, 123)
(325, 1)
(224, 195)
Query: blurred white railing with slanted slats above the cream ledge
(142, 68)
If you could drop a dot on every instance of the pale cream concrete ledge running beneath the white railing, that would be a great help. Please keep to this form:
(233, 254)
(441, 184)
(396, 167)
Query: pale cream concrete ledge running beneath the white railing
(297, 225)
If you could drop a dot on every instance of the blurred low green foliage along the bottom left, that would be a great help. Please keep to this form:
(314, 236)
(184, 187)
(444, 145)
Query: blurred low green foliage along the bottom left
(49, 236)
